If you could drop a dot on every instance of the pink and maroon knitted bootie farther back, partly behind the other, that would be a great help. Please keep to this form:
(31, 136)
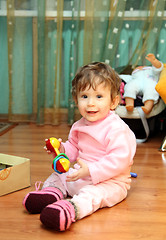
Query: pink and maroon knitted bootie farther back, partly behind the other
(34, 202)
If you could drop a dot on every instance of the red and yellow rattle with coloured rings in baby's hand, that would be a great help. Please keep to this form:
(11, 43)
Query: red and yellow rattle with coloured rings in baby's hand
(61, 162)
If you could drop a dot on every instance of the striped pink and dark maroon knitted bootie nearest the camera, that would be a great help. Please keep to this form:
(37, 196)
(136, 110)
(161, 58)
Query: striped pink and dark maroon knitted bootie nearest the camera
(59, 215)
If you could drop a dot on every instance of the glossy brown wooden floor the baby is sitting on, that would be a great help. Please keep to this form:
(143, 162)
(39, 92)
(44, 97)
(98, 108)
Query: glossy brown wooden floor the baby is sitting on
(141, 216)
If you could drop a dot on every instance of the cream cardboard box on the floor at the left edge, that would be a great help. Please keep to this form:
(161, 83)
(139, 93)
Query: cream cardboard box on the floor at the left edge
(14, 173)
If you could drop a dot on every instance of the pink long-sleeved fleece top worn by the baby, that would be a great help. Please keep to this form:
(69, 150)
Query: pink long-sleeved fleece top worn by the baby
(106, 146)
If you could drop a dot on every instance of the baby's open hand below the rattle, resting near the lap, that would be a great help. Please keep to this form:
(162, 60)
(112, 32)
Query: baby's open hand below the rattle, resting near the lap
(81, 173)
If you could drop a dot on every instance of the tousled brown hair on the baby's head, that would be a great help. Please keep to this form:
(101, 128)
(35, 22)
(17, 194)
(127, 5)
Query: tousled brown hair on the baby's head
(94, 74)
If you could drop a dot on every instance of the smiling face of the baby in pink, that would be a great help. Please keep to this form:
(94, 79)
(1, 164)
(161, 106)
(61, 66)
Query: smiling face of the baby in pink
(95, 104)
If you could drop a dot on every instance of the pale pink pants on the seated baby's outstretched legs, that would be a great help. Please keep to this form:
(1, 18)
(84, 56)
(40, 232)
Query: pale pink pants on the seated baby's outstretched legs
(88, 197)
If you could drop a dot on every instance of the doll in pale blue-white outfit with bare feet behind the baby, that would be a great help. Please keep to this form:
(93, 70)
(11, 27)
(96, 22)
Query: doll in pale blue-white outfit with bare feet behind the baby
(142, 81)
